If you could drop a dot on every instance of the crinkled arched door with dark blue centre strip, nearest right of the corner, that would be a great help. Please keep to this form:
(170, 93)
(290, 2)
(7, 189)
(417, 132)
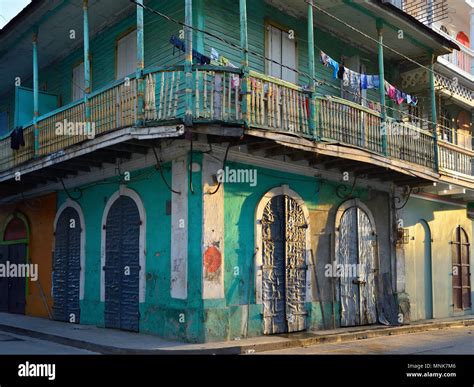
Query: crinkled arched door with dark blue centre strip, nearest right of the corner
(284, 266)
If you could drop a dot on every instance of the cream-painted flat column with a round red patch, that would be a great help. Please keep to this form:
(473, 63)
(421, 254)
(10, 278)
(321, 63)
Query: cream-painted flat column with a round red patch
(212, 231)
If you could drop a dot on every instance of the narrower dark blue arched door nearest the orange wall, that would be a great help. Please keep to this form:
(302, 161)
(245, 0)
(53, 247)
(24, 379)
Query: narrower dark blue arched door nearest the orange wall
(67, 267)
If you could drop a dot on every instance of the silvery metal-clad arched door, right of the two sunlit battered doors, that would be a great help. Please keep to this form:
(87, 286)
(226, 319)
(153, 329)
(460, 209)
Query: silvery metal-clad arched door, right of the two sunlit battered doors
(356, 254)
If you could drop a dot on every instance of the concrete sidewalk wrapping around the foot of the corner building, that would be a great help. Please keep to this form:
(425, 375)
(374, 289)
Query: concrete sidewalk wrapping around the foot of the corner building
(110, 341)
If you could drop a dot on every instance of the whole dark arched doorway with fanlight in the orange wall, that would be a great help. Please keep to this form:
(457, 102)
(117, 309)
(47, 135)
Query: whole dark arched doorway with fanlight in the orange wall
(14, 252)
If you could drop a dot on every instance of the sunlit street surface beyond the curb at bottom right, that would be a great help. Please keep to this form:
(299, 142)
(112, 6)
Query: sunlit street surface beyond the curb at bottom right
(453, 341)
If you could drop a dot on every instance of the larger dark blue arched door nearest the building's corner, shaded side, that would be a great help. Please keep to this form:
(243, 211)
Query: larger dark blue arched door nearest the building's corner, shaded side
(122, 265)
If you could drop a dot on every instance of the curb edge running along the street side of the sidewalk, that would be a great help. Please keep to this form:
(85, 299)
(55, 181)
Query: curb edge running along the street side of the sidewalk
(330, 338)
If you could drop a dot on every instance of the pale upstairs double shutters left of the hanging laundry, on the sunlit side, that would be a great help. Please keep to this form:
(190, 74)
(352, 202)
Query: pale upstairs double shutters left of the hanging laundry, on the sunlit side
(281, 52)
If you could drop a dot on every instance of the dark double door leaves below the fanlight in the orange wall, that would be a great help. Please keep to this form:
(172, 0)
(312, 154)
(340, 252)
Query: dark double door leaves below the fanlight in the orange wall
(12, 289)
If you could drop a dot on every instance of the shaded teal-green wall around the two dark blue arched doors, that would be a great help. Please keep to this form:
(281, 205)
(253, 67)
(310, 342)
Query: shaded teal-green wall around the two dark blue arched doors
(160, 313)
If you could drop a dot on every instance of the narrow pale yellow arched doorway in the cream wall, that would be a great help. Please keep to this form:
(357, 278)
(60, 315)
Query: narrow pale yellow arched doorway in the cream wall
(423, 297)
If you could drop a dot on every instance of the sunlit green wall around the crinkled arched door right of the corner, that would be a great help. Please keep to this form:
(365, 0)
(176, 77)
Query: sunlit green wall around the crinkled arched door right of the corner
(227, 318)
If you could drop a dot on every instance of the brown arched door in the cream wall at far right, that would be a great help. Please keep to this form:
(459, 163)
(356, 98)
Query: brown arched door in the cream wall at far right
(461, 270)
